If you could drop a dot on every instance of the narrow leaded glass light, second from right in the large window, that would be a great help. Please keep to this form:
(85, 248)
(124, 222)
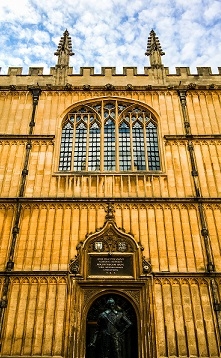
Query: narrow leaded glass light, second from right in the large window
(138, 147)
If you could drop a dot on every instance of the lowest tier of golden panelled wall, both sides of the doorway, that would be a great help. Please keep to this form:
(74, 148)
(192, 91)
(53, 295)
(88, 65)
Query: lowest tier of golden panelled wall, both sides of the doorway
(39, 317)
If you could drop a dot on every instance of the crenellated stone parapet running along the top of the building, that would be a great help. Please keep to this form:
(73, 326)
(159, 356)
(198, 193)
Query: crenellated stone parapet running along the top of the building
(129, 77)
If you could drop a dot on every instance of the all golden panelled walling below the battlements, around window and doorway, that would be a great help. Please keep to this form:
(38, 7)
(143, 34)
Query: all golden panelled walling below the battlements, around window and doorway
(160, 210)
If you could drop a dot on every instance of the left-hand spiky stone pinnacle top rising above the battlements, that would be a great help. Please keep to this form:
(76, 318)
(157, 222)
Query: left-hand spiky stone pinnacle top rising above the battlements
(64, 50)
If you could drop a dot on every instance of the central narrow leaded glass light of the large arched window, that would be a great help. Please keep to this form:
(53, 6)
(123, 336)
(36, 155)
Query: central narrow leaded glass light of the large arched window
(109, 145)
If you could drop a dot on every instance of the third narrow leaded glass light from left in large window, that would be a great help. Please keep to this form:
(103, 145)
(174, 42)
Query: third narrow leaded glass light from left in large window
(94, 148)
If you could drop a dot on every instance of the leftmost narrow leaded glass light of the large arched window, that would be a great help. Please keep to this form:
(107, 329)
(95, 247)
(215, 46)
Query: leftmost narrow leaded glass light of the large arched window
(66, 147)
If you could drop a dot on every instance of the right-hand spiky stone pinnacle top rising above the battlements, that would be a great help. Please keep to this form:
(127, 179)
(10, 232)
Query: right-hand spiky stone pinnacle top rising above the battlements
(154, 50)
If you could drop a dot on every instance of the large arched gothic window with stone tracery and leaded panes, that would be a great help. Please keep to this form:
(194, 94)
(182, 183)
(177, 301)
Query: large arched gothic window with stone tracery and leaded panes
(109, 136)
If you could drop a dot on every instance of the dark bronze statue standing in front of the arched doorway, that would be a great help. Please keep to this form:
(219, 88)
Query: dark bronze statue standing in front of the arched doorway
(108, 340)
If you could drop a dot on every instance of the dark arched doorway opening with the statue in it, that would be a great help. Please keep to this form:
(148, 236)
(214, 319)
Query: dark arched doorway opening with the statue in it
(111, 329)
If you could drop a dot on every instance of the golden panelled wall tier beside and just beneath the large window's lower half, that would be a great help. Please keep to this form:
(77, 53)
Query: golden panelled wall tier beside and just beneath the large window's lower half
(175, 181)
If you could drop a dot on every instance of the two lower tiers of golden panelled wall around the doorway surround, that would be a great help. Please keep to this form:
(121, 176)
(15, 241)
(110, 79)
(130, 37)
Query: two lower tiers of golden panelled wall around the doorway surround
(37, 321)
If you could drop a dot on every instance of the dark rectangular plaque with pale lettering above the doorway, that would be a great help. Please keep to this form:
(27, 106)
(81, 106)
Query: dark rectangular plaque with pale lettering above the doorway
(111, 265)
